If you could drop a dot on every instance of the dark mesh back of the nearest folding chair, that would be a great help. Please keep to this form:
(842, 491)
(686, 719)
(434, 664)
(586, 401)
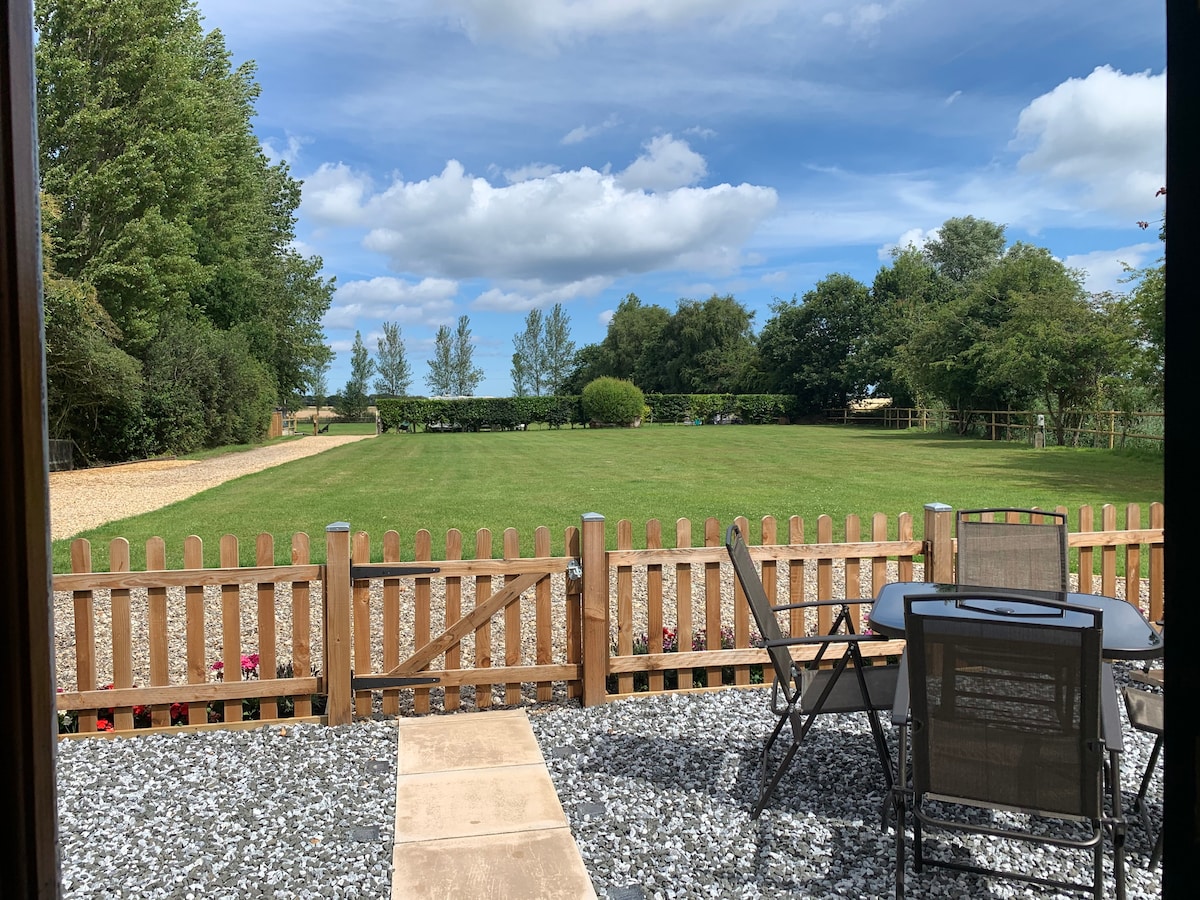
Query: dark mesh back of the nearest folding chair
(1006, 715)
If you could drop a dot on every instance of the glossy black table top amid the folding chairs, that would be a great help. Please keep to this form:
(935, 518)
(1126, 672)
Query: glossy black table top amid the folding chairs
(1127, 635)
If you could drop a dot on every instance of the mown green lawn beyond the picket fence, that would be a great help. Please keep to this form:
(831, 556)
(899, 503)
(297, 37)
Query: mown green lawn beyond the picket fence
(550, 478)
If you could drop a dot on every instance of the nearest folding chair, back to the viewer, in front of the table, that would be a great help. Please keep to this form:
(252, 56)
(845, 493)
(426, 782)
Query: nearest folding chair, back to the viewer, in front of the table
(1010, 710)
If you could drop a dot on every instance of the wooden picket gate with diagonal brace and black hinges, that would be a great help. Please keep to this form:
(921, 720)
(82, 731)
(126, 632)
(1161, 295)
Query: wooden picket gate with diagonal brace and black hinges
(431, 626)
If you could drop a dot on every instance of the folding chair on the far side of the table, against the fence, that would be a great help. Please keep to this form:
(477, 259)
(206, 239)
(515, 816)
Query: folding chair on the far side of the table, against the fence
(1027, 549)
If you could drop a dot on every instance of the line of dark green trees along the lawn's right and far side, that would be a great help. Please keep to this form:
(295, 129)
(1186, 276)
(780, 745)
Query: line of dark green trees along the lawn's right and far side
(967, 322)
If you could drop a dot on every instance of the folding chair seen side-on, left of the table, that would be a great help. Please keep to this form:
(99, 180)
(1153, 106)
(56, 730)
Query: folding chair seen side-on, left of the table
(808, 692)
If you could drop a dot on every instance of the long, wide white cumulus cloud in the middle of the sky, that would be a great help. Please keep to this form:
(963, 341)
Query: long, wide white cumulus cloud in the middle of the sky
(561, 230)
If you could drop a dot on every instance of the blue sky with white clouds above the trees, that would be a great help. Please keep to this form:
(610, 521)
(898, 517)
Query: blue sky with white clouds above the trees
(489, 158)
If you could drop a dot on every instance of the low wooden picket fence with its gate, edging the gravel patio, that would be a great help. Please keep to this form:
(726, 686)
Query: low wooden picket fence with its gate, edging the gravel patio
(593, 625)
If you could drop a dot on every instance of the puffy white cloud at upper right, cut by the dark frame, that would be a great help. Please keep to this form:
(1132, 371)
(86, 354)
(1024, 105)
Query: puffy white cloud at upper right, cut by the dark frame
(1105, 135)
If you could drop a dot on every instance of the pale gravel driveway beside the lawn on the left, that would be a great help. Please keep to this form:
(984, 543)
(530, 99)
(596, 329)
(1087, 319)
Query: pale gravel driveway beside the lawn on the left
(87, 499)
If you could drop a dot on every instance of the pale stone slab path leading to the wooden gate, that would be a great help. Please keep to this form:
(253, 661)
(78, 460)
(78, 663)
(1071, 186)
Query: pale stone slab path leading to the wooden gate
(477, 814)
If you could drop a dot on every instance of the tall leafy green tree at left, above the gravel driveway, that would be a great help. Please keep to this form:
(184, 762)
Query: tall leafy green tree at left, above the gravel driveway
(169, 211)
